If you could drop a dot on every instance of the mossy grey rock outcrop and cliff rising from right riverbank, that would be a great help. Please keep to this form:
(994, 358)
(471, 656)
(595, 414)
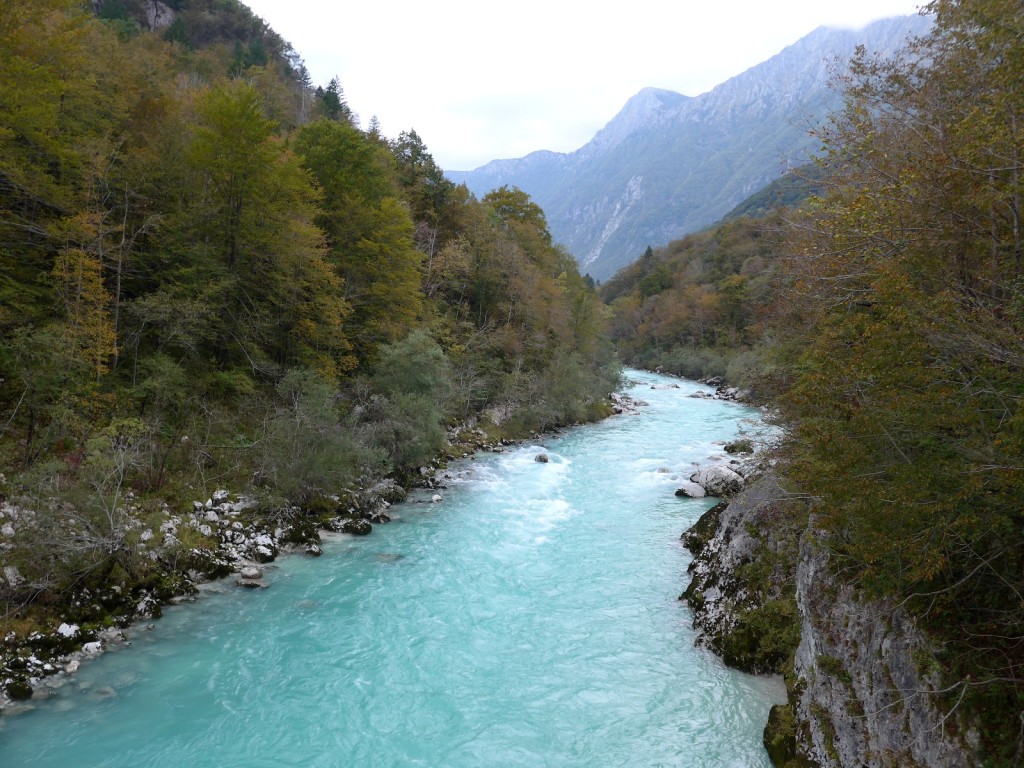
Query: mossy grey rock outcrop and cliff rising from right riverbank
(862, 685)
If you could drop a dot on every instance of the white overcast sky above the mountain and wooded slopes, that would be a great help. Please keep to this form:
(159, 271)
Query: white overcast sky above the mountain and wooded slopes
(481, 81)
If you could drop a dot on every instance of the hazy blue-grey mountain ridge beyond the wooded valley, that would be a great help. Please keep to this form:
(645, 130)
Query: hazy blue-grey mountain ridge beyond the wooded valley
(669, 164)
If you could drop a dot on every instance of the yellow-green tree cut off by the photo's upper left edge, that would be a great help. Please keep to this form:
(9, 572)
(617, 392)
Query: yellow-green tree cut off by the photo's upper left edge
(59, 102)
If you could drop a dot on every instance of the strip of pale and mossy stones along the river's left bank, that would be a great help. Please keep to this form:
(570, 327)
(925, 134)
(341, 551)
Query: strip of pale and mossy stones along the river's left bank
(228, 535)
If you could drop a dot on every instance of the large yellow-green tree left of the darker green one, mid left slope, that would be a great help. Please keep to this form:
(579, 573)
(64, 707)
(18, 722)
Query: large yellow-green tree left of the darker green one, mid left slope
(248, 230)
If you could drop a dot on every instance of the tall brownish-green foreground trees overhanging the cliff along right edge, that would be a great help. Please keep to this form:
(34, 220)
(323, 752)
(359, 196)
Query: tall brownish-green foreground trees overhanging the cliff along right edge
(907, 359)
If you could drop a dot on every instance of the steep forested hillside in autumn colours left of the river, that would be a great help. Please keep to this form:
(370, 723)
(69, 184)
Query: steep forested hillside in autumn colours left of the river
(210, 277)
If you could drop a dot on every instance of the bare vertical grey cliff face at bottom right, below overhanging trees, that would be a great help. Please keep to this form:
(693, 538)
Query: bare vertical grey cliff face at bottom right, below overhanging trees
(865, 691)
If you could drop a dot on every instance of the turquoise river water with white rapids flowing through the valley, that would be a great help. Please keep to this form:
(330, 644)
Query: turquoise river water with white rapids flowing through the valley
(530, 619)
